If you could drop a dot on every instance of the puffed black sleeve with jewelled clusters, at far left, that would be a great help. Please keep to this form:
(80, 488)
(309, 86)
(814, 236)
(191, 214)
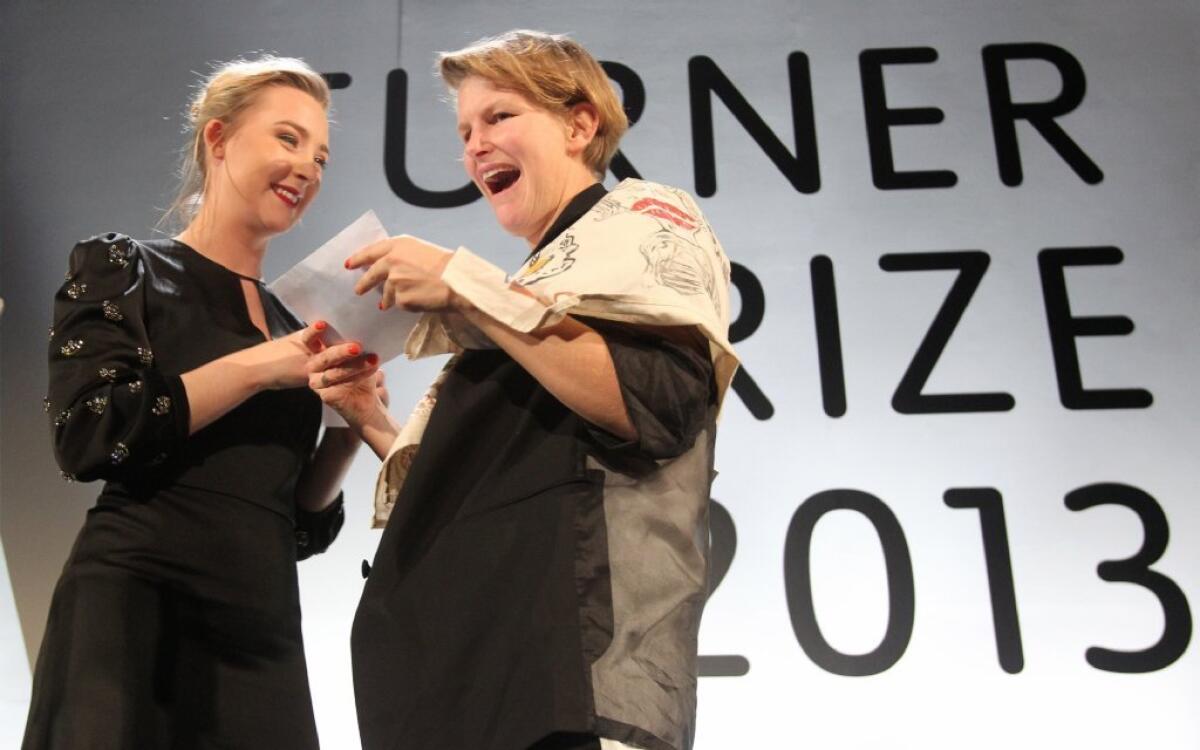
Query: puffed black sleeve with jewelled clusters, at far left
(112, 411)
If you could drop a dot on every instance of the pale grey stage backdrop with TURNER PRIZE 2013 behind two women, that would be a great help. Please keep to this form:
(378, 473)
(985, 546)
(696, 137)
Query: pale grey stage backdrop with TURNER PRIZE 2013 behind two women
(957, 502)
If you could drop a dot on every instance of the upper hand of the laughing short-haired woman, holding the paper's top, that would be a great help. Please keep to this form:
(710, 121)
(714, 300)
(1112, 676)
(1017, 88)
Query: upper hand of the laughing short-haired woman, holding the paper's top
(409, 272)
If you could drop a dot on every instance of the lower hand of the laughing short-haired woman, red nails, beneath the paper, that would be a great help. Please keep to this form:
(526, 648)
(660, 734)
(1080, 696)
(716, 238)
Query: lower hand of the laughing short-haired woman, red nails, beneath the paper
(350, 382)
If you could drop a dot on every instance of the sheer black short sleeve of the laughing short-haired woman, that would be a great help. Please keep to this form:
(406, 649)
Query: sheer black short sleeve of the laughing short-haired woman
(668, 388)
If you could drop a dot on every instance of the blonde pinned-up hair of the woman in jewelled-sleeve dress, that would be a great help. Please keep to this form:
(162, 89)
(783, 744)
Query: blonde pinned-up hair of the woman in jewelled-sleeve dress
(229, 92)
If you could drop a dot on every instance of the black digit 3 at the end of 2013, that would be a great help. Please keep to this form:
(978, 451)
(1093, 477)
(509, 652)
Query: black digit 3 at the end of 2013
(1177, 613)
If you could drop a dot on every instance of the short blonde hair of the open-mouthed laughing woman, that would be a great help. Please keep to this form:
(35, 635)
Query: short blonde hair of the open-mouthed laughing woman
(551, 70)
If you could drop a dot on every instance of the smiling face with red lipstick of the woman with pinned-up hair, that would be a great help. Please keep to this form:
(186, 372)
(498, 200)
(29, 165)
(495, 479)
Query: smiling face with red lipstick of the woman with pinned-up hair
(267, 167)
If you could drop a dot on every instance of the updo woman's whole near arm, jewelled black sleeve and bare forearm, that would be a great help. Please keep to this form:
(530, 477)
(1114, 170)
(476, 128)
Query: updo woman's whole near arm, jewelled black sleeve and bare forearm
(113, 411)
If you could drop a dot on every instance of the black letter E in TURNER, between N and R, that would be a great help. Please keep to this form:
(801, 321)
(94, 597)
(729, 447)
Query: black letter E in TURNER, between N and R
(880, 118)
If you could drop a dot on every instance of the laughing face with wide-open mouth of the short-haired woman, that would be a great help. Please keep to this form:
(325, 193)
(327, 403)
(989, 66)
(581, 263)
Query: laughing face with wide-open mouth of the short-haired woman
(526, 160)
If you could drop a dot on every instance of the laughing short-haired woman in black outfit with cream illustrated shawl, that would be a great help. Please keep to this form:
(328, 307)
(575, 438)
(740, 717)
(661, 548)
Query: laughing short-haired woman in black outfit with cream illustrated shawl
(542, 574)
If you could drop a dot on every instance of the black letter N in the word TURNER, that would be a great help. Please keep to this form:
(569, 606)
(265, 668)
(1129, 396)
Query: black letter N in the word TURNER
(706, 80)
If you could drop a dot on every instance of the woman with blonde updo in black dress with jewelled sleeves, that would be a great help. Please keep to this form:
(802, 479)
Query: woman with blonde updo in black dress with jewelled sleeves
(181, 381)
